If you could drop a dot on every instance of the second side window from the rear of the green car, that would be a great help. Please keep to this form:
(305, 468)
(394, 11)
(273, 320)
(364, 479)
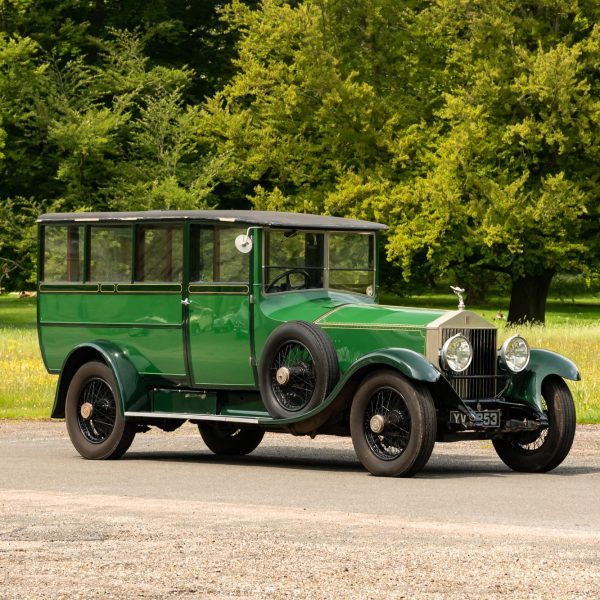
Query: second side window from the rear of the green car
(110, 254)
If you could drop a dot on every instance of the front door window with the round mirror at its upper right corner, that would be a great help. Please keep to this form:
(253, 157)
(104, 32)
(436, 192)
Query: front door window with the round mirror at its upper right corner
(214, 258)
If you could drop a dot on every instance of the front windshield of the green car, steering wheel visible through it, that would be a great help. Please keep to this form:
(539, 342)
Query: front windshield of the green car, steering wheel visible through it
(298, 260)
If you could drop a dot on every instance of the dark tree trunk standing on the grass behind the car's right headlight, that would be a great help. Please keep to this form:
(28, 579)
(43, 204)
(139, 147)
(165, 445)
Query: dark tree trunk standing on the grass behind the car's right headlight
(528, 298)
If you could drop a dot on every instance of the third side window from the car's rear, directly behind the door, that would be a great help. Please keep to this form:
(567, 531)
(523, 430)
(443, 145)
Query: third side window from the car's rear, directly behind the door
(159, 253)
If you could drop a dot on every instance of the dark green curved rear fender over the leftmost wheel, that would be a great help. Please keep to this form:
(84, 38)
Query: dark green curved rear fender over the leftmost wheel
(129, 385)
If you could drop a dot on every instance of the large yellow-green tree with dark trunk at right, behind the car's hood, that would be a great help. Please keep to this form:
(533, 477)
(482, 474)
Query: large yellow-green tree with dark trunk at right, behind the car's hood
(510, 182)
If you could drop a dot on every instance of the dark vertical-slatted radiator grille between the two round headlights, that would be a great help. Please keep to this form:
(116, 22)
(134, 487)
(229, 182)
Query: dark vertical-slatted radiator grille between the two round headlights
(479, 380)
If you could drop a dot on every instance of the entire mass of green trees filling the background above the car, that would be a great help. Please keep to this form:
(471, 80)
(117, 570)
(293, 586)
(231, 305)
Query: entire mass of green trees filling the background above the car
(470, 127)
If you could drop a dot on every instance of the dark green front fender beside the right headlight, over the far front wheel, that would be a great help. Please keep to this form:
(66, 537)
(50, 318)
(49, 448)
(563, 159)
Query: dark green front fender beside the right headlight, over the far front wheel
(527, 386)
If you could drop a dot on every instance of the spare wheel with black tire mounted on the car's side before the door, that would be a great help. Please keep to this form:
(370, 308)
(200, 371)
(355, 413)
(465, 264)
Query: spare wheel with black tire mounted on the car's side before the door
(309, 357)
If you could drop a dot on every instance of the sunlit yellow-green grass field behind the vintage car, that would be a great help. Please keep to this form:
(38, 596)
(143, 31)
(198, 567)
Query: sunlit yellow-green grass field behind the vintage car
(573, 329)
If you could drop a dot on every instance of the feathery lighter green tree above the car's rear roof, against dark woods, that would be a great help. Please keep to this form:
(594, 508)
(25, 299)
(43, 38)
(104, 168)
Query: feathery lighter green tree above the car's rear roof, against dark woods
(124, 137)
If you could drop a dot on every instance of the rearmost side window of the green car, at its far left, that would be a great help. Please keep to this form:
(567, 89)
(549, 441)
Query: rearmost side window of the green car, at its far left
(63, 253)
